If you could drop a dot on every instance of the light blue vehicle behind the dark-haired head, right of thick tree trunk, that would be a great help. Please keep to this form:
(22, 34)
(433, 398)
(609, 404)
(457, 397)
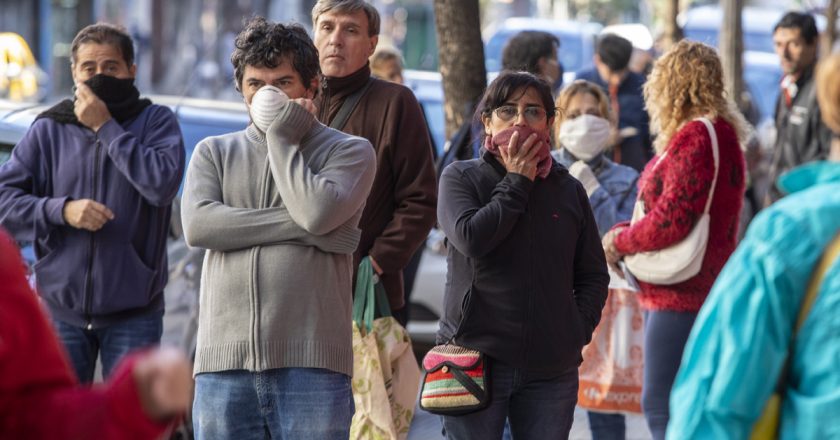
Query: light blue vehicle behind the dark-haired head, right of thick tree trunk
(577, 42)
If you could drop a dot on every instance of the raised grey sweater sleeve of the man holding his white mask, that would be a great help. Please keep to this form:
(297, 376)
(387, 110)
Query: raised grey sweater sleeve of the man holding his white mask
(319, 202)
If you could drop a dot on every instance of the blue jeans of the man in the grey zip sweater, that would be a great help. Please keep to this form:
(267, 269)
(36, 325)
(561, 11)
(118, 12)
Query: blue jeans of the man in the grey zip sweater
(283, 403)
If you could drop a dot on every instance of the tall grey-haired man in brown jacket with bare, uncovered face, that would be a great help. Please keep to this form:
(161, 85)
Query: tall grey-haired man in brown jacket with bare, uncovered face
(400, 209)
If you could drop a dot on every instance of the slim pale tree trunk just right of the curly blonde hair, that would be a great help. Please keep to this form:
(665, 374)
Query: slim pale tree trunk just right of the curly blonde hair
(731, 44)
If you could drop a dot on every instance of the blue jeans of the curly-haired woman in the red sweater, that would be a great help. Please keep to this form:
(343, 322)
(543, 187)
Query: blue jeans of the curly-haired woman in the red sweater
(666, 333)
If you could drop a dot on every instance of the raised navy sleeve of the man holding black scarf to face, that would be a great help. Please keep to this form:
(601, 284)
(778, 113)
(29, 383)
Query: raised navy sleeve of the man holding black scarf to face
(155, 164)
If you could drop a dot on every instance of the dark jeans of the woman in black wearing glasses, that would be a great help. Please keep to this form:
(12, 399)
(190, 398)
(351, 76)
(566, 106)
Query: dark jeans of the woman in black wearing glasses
(538, 407)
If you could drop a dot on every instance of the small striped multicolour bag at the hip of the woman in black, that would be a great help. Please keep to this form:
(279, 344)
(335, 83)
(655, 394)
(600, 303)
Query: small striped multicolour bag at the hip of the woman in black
(455, 381)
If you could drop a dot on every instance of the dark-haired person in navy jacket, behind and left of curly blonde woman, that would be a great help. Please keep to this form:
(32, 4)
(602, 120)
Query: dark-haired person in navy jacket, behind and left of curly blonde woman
(624, 88)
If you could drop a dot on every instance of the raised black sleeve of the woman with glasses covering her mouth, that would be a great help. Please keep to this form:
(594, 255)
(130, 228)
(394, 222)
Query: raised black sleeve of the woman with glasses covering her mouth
(475, 228)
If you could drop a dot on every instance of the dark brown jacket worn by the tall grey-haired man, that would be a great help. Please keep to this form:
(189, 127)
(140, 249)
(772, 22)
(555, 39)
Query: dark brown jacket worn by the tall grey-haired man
(400, 209)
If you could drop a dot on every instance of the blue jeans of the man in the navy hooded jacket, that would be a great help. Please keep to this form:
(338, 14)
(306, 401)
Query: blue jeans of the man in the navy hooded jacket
(111, 343)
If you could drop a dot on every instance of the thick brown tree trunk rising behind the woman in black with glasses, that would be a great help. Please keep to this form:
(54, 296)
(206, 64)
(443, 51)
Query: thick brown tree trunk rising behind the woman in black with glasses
(461, 59)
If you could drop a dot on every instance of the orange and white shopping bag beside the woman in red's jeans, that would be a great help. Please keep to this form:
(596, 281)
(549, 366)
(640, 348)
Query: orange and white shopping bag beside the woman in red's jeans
(611, 372)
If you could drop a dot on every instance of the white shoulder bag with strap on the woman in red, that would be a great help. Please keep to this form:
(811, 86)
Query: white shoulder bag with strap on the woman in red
(682, 260)
